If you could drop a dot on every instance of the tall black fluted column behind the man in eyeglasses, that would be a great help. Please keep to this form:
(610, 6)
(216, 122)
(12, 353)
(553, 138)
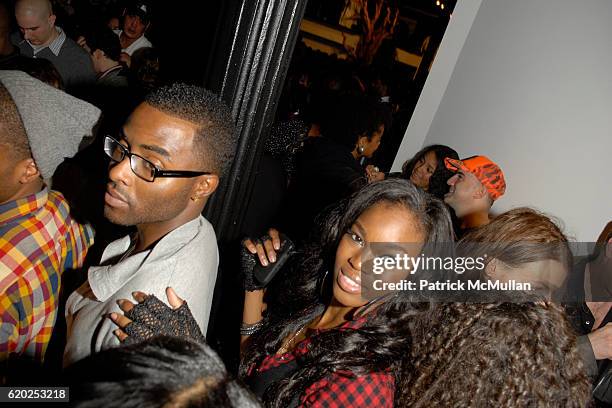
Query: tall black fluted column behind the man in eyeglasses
(252, 50)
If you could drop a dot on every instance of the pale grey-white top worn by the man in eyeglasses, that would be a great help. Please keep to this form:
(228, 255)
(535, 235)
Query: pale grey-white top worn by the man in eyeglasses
(186, 259)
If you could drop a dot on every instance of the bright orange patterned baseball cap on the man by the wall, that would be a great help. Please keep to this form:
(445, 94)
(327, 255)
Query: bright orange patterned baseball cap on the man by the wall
(485, 170)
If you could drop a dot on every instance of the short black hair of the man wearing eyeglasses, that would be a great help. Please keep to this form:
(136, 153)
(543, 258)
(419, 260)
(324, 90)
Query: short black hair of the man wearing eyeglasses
(216, 137)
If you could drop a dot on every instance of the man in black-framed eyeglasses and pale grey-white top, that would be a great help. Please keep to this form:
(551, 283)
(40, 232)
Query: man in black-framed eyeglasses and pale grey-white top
(164, 165)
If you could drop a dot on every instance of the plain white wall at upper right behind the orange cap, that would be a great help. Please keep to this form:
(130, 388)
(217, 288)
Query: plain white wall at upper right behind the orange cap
(529, 84)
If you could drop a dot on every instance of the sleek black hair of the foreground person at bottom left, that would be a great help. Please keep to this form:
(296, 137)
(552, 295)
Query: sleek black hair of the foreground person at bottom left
(161, 372)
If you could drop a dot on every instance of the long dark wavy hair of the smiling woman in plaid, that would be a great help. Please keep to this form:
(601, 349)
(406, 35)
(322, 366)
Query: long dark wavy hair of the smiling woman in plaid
(384, 338)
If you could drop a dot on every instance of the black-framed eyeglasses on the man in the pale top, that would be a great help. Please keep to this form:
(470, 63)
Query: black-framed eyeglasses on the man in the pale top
(141, 166)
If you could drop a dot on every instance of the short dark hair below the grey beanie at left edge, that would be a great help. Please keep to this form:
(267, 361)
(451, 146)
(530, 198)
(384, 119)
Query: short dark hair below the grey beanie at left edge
(12, 131)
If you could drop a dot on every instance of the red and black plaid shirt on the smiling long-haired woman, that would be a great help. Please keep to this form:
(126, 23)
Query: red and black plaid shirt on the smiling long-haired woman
(339, 389)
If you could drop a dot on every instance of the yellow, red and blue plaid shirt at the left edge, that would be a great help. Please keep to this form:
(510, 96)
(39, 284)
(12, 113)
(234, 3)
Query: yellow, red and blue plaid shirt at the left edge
(38, 241)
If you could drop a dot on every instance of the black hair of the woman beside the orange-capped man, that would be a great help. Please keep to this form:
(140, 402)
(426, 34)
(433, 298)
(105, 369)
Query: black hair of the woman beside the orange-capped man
(437, 182)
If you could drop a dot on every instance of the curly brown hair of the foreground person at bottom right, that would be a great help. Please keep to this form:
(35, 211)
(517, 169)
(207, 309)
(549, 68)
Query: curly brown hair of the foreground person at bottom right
(494, 354)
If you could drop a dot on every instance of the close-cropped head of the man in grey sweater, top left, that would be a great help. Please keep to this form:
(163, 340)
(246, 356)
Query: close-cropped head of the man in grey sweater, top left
(36, 21)
